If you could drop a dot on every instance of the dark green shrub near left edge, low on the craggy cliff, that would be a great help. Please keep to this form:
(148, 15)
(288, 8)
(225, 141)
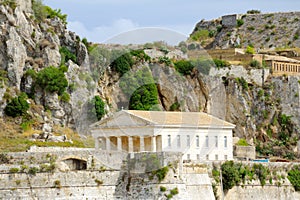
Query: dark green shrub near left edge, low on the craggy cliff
(18, 106)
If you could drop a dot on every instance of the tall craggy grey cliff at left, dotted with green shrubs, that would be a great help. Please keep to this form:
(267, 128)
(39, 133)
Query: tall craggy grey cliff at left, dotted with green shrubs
(30, 43)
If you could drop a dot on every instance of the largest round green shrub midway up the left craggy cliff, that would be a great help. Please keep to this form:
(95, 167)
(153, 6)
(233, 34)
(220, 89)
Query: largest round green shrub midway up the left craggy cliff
(51, 79)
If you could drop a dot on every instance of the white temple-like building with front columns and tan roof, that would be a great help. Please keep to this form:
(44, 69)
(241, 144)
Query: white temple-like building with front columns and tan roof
(197, 135)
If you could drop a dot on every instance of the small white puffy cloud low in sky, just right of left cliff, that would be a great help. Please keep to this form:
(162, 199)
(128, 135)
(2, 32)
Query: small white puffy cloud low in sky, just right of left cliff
(102, 33)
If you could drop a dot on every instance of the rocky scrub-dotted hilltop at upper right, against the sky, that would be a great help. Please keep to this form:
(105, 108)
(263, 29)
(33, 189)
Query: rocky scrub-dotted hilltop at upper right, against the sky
(268, 30)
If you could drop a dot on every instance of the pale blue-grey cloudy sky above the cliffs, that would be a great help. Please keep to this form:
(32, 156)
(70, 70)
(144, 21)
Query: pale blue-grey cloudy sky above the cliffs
(104, 21)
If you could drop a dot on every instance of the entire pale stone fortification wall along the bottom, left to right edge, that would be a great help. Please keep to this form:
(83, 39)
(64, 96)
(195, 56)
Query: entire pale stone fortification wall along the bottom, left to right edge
(133, 180)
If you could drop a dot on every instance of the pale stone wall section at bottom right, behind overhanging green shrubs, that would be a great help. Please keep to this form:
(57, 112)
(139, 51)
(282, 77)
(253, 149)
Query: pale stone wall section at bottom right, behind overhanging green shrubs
(277, 185)
